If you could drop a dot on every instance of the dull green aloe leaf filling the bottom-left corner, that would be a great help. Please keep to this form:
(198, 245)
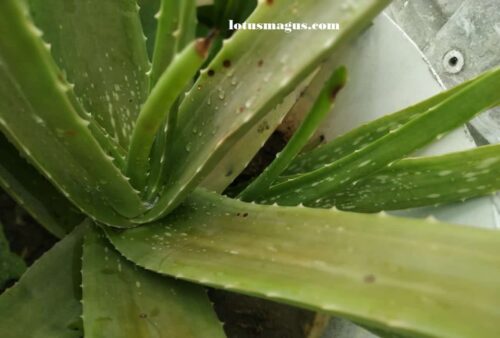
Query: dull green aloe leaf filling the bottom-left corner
(45, 303)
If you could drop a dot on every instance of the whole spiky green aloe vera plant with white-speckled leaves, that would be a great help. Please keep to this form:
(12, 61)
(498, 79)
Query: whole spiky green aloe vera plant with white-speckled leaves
(122, 147)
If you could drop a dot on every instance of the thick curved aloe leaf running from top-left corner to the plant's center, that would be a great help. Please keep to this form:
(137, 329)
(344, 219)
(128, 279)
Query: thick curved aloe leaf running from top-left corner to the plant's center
(36, 114)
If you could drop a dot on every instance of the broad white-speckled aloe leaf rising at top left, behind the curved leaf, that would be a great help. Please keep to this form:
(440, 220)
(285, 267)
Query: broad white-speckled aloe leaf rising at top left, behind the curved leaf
(101, 48)
